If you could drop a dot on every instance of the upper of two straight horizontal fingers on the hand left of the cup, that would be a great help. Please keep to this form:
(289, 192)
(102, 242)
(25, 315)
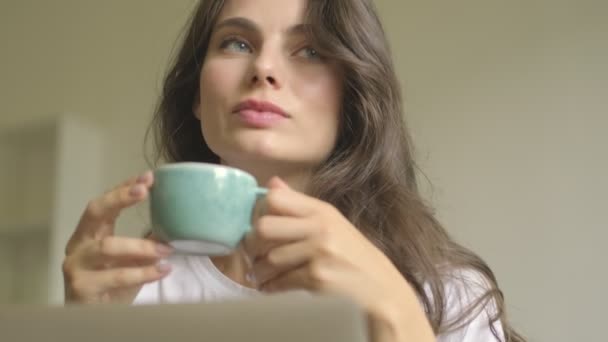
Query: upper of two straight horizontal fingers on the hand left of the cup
(118, 250)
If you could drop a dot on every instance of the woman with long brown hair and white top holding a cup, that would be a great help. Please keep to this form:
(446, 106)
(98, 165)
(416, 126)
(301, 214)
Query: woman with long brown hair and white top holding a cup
(304, 96)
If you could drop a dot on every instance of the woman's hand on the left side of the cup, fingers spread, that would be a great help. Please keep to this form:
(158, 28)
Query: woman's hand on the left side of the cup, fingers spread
(100, 267)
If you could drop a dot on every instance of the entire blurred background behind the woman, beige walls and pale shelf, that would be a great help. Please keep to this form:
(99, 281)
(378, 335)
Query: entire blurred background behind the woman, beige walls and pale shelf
(506, 101)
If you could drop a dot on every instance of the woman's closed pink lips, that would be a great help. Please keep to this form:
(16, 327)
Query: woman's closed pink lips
(259, 114)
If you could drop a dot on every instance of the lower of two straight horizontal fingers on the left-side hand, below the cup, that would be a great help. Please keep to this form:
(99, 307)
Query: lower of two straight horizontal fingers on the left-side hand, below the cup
(125, 277)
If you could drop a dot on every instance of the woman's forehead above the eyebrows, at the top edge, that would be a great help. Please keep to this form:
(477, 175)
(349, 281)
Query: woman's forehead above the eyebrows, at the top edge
(269, 14)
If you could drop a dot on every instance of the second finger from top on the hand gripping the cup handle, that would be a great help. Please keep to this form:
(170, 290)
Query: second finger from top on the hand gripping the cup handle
(270, 231)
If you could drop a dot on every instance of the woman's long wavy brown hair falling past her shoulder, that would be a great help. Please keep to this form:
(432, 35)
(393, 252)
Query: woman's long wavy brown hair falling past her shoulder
(370, 175)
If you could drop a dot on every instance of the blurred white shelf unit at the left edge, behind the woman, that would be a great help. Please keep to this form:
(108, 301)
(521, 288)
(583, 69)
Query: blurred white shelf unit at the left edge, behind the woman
(48, 170)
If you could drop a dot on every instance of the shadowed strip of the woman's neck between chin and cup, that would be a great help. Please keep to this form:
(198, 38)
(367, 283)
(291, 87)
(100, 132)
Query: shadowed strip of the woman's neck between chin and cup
(297, 176)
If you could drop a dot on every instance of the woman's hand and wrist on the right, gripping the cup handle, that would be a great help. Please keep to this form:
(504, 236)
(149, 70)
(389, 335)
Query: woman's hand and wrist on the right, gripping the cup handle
(301, 242)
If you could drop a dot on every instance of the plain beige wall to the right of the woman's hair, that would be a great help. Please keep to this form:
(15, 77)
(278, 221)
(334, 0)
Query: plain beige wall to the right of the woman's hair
(507, 101)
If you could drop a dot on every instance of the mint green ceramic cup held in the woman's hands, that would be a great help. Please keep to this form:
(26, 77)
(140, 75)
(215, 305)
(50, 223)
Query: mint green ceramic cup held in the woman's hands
(201, 208)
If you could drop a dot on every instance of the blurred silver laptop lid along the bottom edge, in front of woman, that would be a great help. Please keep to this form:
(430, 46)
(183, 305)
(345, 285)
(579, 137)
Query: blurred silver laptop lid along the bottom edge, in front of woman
(293, 318)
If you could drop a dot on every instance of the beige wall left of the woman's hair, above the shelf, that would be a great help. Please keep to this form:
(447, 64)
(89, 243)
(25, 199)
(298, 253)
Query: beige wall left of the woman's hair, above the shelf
(100, 60)
